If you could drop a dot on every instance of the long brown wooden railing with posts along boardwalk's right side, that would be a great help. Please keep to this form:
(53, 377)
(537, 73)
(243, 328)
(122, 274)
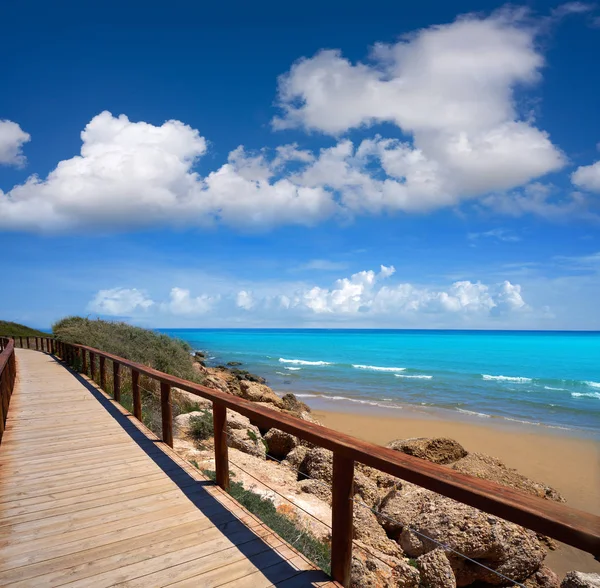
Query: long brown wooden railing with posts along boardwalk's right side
(568, 525)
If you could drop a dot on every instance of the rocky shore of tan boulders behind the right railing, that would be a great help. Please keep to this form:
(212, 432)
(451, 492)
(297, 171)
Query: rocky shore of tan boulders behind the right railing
(398, 526)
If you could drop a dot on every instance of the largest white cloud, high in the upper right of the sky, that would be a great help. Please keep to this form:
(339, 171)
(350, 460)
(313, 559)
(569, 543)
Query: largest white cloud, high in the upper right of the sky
(452, 88)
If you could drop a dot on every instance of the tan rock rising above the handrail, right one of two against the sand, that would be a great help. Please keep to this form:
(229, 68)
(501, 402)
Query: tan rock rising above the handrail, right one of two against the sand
(489, 468)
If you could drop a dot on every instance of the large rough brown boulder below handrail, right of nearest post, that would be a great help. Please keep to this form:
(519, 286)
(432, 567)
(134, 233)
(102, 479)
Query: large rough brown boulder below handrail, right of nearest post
(503, 546)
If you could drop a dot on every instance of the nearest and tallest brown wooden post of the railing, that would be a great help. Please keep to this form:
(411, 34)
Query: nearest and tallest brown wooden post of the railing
(341, 519)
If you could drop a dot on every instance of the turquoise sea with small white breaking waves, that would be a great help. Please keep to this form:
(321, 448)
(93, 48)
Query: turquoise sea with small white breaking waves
(547, 379)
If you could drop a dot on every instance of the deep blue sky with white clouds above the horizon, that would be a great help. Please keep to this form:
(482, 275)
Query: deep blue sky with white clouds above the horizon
(269, 165)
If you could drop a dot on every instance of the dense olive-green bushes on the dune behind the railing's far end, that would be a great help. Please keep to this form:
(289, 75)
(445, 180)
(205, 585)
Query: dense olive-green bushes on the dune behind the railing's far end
(144, 346)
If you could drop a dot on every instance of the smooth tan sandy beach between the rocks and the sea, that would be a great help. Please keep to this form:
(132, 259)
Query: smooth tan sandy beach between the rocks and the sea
(568, 463)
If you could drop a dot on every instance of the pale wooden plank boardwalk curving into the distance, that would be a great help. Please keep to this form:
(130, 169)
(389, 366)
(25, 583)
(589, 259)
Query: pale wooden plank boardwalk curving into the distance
(89, 497)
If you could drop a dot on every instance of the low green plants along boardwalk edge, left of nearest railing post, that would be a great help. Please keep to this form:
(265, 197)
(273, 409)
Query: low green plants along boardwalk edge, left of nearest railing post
(304, 541)
